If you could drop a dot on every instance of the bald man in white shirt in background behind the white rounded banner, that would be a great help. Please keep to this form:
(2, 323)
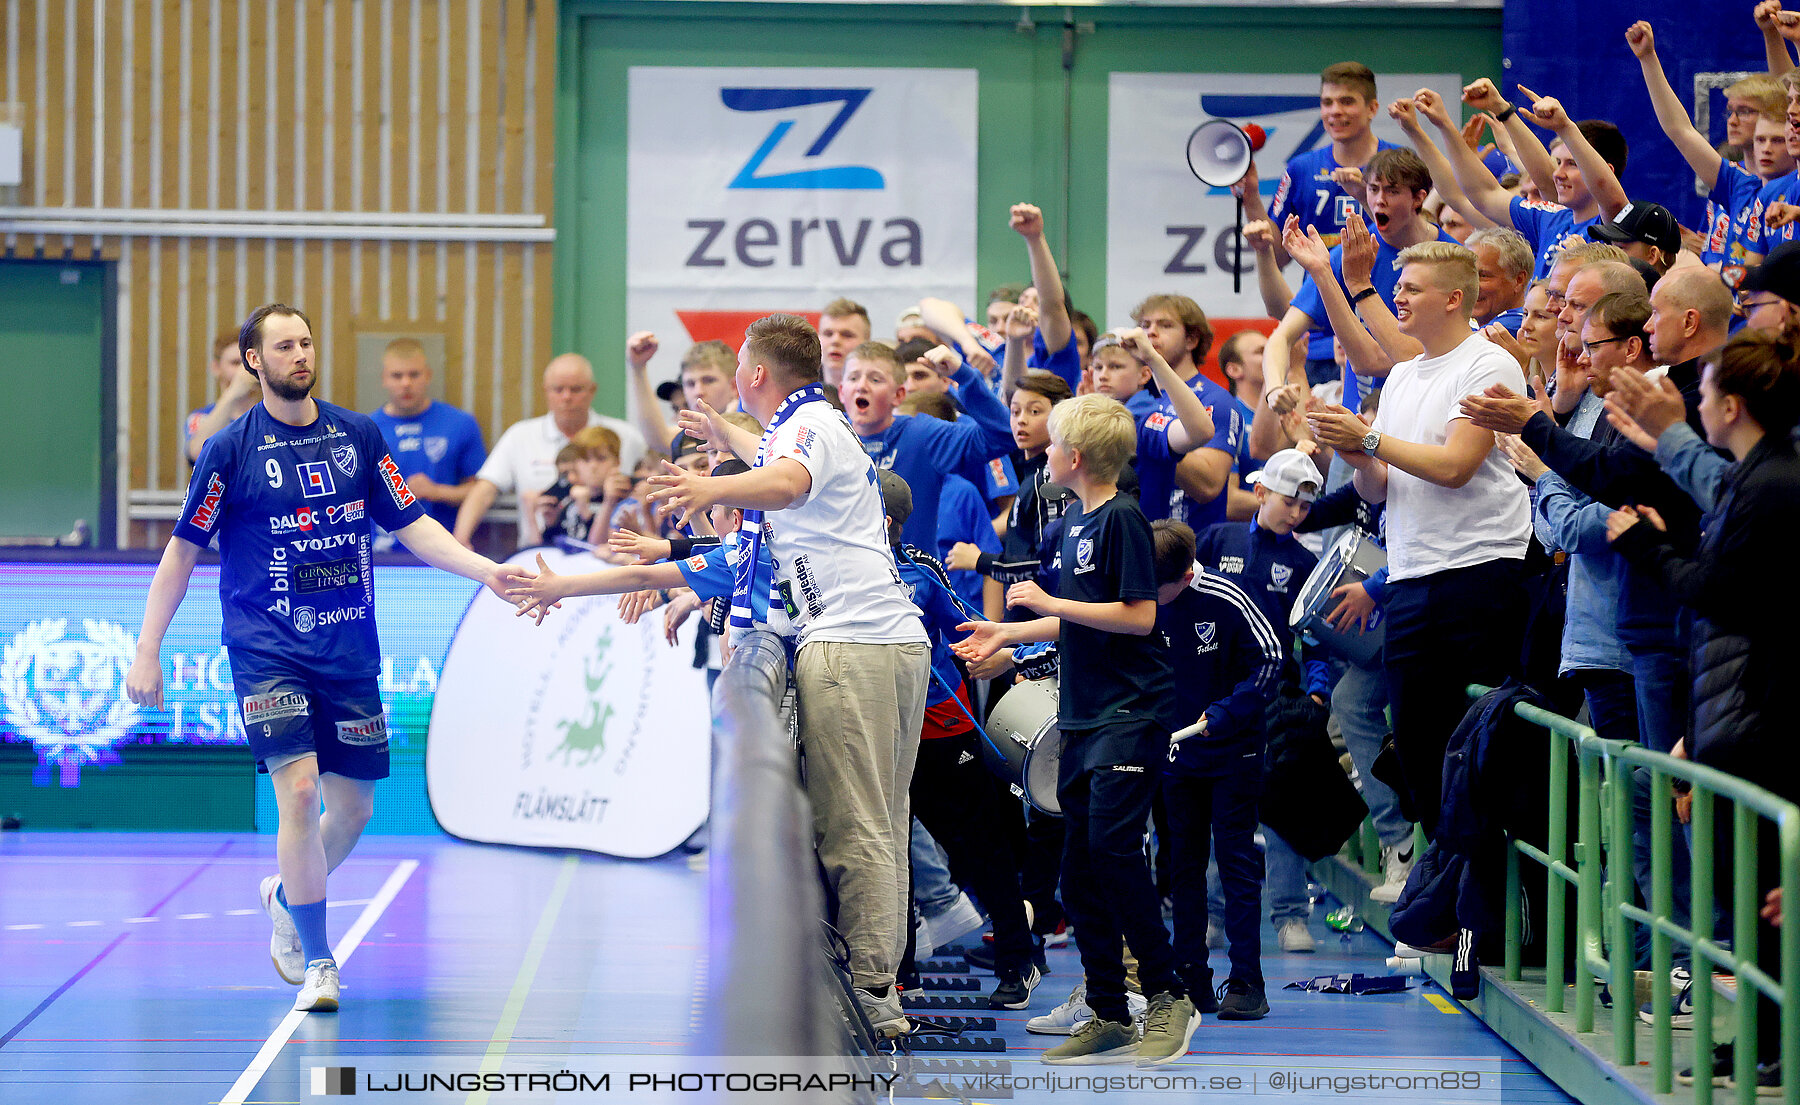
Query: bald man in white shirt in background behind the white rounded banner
(525, 458)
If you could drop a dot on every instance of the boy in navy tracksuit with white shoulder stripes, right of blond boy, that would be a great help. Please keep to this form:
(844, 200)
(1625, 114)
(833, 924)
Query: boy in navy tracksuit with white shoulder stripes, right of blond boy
(1225, 656)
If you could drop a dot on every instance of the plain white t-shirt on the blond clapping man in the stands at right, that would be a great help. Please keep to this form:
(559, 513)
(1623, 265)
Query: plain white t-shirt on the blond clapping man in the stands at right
(1434, 528)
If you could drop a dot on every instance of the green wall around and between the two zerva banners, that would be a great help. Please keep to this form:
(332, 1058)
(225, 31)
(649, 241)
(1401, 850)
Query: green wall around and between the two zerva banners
(1043, 105)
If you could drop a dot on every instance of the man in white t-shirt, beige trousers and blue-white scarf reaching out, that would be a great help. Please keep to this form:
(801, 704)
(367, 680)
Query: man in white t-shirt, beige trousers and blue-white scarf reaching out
(863, 656)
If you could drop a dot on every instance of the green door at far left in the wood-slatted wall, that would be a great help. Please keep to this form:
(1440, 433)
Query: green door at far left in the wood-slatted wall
(57, 413)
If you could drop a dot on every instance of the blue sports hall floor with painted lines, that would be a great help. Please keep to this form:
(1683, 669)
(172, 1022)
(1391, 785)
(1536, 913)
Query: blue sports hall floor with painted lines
(136, 969)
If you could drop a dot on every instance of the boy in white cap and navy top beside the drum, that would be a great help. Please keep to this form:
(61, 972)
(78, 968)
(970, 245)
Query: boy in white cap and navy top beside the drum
(1272, 566)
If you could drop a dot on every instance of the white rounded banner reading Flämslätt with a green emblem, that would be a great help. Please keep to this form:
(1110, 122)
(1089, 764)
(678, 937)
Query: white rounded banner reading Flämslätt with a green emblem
(580, 733)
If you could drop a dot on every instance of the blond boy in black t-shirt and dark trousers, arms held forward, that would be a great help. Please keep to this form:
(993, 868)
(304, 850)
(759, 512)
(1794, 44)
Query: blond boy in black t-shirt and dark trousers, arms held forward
(1115, 681)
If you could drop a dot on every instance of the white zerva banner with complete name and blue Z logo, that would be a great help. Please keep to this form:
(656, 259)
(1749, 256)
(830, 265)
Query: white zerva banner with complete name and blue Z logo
(814, 183)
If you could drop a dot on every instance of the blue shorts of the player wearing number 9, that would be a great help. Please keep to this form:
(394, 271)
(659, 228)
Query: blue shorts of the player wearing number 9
(292, 712)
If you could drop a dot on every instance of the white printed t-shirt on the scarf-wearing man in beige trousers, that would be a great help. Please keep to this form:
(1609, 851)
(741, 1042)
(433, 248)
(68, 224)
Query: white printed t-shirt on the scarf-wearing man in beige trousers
(834, 566)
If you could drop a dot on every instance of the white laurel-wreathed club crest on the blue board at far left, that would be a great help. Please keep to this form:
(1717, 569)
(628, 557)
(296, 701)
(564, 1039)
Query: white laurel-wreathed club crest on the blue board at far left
(67, 696)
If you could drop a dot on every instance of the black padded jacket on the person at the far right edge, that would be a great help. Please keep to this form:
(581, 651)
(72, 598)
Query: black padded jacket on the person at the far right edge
(1743, 651)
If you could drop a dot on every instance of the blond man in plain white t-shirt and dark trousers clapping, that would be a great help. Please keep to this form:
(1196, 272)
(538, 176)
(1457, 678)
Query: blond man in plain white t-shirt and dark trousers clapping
(1459, 519)
